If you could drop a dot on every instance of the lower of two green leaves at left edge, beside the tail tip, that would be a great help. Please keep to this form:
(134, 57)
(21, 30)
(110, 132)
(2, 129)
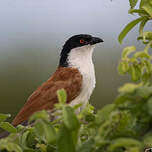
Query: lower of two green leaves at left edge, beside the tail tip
(8, 127)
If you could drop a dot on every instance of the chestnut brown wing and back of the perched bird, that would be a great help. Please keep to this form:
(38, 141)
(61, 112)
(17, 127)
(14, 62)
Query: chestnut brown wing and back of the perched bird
(45, 96)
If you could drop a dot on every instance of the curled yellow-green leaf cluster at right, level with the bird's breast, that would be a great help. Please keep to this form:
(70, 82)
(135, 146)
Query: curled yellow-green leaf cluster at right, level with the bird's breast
(137, 64)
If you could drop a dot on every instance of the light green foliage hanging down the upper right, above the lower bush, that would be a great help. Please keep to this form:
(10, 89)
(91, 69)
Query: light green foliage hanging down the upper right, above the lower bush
(138, 63)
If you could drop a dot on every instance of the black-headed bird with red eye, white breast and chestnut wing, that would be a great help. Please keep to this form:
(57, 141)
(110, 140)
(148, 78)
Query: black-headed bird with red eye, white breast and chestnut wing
(75, 74)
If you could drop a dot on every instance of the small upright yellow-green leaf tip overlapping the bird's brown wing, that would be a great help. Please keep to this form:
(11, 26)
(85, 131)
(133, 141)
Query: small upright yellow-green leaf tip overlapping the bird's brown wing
(62, 97)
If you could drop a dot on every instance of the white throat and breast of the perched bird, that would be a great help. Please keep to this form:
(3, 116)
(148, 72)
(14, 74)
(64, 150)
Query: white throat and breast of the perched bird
(81, 58)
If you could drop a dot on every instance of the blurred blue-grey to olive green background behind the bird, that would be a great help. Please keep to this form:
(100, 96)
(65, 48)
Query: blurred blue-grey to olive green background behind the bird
(32, 33)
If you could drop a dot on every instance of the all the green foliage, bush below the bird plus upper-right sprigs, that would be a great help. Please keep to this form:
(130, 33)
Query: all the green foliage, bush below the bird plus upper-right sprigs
(124, 126)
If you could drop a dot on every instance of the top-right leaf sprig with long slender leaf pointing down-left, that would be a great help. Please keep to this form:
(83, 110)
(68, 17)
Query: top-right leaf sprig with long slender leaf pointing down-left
(145, 15)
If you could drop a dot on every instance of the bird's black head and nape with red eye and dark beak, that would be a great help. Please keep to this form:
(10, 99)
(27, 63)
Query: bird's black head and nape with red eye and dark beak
(74, 42)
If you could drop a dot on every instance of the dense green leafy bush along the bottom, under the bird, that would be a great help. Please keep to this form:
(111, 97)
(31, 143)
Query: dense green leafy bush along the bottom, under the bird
(124, 125)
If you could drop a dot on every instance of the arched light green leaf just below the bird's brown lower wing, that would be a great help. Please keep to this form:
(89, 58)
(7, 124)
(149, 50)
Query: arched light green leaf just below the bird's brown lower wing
(40, 115)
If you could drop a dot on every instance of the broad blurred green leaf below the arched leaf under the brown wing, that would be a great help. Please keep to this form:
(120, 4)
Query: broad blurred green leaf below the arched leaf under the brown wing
(45, 130)
